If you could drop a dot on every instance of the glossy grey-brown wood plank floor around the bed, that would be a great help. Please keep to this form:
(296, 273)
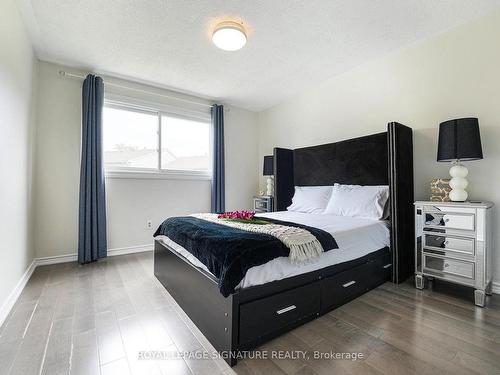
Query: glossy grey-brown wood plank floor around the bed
(101, 318)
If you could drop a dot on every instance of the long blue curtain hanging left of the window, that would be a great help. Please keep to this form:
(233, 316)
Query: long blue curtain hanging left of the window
(92, 242)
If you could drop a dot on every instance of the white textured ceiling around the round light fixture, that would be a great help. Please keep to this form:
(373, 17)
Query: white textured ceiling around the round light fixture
(292, 45)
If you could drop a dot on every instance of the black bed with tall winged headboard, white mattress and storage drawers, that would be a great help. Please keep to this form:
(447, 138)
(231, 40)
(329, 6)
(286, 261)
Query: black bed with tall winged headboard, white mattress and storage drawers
(277, 296)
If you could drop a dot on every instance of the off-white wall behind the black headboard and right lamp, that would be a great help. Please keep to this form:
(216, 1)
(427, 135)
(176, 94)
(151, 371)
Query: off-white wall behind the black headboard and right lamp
(455, 74)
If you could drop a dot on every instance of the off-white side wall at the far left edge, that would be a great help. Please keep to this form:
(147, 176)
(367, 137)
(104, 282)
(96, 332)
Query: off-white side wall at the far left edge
(17, 88)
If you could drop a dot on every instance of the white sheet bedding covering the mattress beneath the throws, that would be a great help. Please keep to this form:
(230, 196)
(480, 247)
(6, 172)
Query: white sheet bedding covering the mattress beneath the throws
(355, 237)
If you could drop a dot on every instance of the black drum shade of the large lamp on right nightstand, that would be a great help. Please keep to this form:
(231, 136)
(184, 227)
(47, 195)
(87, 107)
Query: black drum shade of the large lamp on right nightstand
(459, 140)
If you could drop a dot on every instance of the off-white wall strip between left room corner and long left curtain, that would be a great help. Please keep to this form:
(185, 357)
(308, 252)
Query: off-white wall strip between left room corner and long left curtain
(57, 163)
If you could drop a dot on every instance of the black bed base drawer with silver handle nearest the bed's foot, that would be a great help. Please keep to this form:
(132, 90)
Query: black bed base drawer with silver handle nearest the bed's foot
(264, 316)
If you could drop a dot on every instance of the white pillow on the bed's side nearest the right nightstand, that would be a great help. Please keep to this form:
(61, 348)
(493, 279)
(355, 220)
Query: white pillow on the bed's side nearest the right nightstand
(358, 201)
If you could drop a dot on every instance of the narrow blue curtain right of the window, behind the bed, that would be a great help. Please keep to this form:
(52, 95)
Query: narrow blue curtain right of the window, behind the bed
(218, 190)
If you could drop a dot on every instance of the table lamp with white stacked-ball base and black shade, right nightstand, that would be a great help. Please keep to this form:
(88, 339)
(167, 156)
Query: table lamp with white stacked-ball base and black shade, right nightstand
(459, 140)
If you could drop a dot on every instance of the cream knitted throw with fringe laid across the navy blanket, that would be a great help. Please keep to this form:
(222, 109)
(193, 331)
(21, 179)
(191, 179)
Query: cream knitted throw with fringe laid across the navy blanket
(302, 244)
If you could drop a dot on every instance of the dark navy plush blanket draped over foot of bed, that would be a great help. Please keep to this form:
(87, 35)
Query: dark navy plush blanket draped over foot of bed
(229, 252)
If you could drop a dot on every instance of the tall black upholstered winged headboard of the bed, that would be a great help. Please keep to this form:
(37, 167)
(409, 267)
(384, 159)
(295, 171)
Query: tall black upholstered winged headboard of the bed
(378, 159)
